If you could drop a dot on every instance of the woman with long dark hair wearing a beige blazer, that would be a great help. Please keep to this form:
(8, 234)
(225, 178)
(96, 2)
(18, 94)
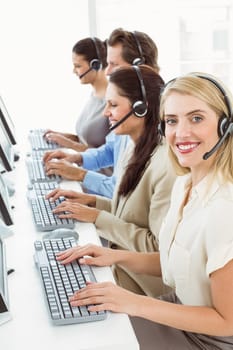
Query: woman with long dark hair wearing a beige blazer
(132, 219)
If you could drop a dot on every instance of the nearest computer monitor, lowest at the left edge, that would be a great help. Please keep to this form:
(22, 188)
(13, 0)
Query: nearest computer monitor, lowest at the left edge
(4, 300)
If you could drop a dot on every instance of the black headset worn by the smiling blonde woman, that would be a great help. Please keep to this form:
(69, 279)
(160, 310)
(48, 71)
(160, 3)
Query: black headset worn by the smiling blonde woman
(225, 124)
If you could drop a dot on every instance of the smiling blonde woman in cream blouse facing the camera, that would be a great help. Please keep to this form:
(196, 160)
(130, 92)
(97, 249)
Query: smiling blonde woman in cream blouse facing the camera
(195, 255)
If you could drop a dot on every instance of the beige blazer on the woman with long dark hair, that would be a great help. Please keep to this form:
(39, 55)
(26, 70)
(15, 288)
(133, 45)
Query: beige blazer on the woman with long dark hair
(133, 222)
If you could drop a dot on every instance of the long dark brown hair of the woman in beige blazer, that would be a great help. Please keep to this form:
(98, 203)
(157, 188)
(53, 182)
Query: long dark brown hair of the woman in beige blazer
(128, 85)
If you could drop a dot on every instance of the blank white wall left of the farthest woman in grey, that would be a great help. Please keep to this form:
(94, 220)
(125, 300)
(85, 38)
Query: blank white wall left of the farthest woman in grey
(36, 79)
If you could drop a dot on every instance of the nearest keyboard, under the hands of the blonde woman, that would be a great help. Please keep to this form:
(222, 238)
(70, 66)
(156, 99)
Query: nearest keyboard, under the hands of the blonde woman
(59, 282)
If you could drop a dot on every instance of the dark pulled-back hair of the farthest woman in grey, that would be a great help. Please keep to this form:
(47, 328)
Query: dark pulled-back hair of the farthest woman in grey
(87, 48)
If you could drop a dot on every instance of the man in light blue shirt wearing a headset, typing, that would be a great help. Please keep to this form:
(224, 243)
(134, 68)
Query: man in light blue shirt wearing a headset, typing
(124, 48)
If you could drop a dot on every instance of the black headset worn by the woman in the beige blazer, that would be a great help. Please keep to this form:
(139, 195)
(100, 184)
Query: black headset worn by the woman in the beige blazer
(139, 107)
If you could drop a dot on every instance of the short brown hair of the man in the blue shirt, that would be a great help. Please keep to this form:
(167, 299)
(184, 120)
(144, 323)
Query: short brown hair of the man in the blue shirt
(130, 49)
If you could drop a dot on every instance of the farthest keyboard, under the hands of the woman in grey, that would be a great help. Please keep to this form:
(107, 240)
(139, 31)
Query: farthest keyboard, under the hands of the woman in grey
(38, 142)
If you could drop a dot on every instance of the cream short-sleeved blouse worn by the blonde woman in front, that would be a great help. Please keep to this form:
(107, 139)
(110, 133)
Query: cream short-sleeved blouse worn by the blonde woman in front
(197, 239)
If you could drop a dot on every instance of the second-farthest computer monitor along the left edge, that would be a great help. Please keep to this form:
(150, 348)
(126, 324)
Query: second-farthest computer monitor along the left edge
(6, 151)
